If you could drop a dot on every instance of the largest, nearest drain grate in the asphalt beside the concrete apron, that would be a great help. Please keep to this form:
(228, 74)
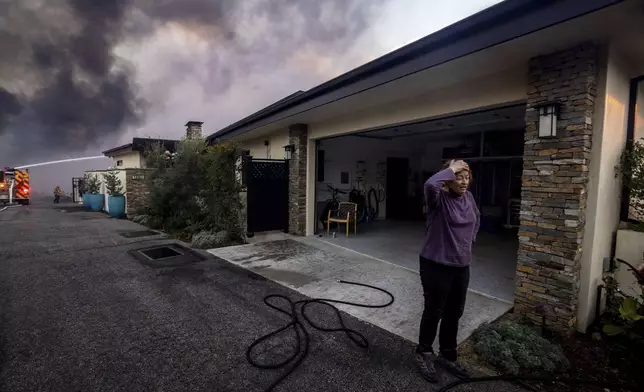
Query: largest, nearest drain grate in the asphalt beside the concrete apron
(166, 255)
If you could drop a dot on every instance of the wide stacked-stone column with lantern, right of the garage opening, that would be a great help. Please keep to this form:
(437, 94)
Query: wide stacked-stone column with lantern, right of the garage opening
(555, 176)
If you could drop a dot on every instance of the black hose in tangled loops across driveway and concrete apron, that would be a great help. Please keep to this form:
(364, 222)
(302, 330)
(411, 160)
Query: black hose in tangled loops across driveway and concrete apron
(302, 338)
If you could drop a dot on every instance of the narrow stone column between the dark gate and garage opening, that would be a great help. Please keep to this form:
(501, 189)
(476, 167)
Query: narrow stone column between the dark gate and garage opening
(298, 137)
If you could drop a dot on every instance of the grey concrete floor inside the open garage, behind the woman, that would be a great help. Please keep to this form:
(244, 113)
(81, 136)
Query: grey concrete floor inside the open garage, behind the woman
(493, 267)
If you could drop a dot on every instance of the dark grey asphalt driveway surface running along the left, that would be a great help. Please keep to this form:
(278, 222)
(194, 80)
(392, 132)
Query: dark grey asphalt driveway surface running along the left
(78, 313)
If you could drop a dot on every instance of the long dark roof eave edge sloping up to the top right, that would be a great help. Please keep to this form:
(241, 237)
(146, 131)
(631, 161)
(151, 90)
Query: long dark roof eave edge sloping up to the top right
(465, 33)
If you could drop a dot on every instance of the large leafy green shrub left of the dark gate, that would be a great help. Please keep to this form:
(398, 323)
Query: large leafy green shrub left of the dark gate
(195, 189)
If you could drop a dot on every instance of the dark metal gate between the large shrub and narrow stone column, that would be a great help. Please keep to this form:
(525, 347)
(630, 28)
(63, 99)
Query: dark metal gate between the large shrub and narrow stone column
(267, 195)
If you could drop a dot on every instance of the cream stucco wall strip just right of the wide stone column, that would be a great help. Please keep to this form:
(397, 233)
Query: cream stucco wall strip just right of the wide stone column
(604, 196)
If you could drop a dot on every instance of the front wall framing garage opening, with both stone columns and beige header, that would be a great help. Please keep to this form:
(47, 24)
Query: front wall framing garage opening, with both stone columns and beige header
(570, 199)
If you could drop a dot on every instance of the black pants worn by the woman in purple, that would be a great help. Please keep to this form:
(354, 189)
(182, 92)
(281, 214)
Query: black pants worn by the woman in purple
(445, 290)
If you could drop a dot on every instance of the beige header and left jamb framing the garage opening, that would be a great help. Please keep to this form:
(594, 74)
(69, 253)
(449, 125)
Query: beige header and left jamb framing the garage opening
(509, 86)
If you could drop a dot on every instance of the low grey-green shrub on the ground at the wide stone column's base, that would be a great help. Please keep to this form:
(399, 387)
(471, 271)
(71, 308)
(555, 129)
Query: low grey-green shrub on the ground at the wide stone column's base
(517, 349)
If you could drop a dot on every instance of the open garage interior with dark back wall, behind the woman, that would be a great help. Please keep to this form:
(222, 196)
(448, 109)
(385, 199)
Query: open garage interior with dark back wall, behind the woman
(396, 161)
